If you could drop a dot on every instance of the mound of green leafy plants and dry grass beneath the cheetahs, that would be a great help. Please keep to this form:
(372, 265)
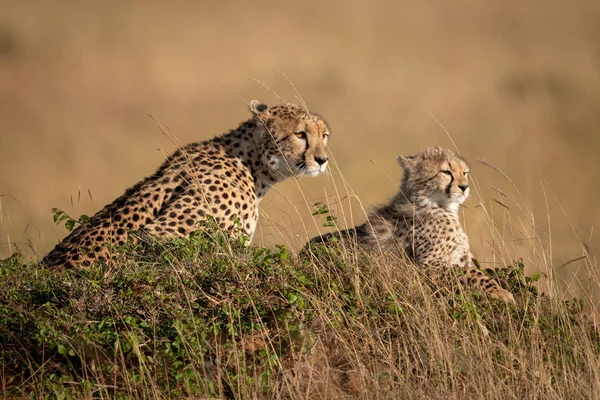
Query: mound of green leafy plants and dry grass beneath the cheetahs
(205, 317)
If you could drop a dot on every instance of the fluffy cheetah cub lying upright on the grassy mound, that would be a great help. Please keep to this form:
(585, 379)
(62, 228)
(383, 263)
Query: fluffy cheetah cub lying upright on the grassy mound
(423, 219)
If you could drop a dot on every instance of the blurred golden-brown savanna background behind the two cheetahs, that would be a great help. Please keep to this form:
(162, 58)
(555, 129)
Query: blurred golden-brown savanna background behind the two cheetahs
(86, 86)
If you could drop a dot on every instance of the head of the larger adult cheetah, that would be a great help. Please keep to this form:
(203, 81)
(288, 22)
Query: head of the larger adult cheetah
(293, 141)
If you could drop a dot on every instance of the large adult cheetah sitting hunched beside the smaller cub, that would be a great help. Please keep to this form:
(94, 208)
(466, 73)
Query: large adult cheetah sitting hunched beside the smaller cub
(225, 177)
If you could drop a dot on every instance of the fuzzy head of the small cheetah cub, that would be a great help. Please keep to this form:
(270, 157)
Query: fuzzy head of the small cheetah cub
(435, 176)
